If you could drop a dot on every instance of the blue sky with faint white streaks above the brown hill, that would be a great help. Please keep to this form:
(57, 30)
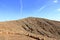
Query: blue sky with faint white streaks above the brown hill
(17, 9)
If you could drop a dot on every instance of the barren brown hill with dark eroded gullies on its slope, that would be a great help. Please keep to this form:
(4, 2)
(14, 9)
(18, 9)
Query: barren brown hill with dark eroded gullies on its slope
(30, 28)
